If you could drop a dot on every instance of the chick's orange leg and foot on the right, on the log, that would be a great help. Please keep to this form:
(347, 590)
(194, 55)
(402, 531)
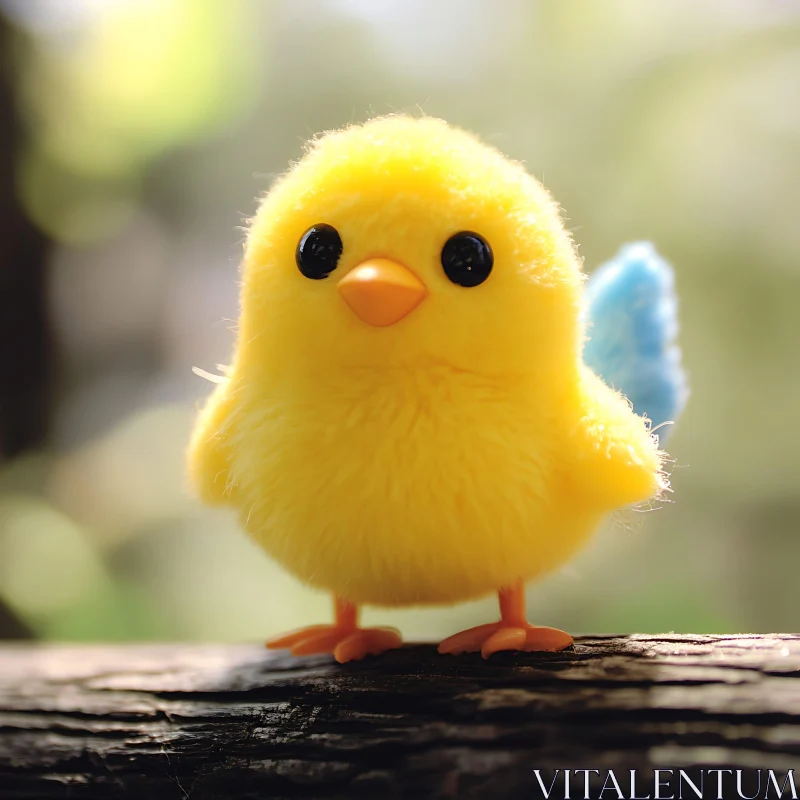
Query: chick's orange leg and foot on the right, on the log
(513, 632)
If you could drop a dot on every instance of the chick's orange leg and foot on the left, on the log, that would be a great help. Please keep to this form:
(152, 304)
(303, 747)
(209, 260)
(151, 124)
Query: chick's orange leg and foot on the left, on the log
(344, 638)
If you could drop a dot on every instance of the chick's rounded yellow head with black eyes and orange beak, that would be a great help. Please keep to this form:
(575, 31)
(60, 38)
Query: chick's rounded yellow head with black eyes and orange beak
(404, 243)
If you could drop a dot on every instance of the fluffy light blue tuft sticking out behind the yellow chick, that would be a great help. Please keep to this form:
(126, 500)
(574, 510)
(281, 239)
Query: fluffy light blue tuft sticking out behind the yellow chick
(631, 310)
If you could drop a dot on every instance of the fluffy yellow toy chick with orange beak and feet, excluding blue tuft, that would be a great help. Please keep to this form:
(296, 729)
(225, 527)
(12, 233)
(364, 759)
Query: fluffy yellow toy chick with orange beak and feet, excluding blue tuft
(407, 418)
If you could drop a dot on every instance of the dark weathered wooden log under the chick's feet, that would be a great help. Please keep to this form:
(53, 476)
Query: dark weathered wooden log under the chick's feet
(192, 721)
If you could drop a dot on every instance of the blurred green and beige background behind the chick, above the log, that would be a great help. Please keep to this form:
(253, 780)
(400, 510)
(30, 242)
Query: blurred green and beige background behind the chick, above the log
(136, 135)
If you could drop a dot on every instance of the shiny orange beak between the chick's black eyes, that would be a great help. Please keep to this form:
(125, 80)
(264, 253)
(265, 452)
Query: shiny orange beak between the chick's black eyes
(381, 291)
